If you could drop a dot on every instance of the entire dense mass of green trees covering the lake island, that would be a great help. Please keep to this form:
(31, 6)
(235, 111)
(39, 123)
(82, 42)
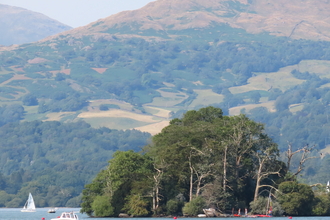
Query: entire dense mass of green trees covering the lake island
(205, 159)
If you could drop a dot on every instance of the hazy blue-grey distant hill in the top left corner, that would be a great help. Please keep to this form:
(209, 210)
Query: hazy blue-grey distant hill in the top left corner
(20, 26)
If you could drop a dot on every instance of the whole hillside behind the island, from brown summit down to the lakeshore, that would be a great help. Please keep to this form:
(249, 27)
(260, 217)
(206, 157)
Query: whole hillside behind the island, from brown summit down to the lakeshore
(140, 69)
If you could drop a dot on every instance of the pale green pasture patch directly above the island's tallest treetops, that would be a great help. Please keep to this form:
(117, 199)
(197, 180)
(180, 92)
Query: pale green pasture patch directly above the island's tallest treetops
(206, 97)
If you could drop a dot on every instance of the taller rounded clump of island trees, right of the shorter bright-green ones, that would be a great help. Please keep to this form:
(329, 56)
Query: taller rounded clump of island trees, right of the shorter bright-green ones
(206, 148)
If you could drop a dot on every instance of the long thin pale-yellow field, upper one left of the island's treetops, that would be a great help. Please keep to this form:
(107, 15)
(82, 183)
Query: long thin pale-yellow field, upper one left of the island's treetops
(116, 113)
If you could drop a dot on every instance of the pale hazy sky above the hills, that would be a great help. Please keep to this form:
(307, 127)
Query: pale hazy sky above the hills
(77, 13)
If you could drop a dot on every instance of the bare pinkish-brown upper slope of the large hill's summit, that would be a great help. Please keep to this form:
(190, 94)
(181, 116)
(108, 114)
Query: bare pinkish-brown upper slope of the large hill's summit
(297, 19)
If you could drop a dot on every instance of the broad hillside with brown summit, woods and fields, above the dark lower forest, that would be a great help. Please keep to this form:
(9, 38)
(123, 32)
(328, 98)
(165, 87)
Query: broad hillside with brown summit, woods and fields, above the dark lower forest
(138, 69)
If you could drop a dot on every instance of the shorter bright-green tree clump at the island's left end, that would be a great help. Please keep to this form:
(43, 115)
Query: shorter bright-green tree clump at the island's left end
(128, 174)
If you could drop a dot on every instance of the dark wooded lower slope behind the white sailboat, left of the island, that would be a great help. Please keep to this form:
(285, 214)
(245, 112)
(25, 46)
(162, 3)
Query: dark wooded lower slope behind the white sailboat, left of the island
(54, 160)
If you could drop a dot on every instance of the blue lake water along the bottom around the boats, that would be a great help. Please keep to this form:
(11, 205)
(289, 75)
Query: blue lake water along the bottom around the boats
(16, 214)
